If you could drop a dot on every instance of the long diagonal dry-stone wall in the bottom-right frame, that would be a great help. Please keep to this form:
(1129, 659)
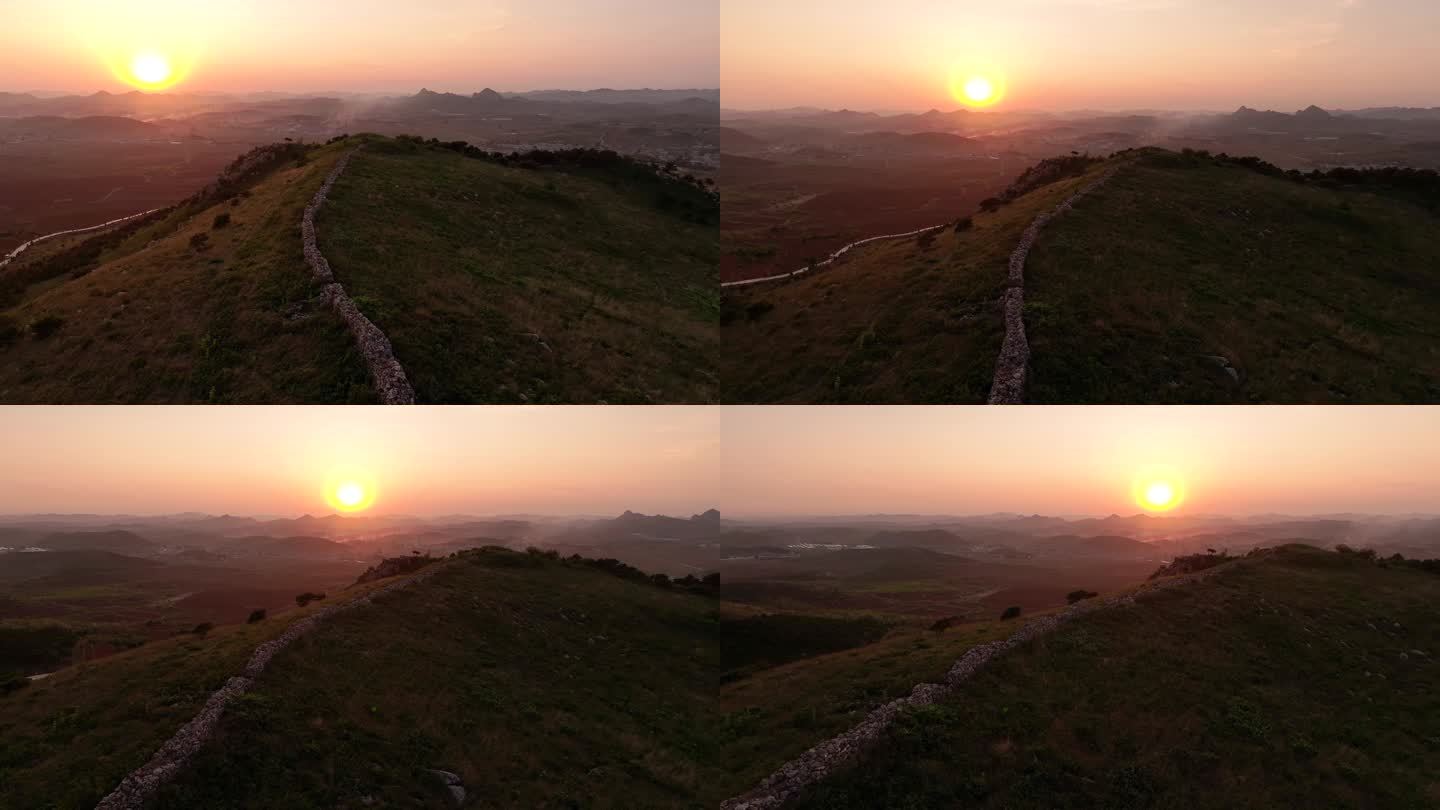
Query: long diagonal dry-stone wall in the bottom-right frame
(840, 752)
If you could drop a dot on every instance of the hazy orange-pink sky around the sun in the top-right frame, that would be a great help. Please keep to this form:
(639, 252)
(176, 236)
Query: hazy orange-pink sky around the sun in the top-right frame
(1082, 54)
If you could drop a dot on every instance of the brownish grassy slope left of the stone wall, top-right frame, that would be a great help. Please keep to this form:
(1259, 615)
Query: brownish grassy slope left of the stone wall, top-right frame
(909, 321)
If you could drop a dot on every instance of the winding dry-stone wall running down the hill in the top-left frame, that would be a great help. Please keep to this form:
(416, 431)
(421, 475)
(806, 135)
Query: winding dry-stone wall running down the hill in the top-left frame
(387, 373)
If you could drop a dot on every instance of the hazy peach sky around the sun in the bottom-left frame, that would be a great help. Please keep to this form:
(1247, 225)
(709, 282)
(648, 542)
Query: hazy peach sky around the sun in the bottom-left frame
(423, 460)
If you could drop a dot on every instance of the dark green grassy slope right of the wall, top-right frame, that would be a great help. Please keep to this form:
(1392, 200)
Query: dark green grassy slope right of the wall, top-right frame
(1313, 295)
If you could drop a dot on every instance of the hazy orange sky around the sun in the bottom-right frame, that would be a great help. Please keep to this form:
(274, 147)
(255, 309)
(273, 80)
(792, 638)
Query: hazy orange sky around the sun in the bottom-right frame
(834, 460)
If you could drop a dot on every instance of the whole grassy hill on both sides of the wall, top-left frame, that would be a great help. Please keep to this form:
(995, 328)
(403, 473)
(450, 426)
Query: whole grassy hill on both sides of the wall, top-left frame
(544, 277)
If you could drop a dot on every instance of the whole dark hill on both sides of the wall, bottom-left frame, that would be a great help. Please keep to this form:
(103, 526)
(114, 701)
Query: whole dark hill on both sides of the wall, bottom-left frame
(500, 668)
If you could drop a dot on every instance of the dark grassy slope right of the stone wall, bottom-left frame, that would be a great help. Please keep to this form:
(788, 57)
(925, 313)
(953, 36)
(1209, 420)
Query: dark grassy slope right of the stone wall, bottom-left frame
(541, 684)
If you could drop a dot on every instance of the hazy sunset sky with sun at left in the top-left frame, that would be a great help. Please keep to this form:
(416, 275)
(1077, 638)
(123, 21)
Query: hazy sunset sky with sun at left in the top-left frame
(364, 45)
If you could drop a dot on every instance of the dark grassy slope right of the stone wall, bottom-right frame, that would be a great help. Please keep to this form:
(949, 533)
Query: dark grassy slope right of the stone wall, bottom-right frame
(1301, 680)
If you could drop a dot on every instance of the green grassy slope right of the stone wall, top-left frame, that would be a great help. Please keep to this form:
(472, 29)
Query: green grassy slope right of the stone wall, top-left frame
(505, 285)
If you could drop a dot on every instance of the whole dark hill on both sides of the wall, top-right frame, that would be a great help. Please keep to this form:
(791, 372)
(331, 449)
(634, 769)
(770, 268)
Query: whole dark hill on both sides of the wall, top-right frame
(1183, 277)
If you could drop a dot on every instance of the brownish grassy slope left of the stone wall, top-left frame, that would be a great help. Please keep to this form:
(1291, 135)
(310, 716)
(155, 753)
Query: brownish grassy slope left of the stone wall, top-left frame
(158, 318)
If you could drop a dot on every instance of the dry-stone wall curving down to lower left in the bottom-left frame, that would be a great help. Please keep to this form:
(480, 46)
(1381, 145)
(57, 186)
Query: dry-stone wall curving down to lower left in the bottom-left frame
(142, 785)
